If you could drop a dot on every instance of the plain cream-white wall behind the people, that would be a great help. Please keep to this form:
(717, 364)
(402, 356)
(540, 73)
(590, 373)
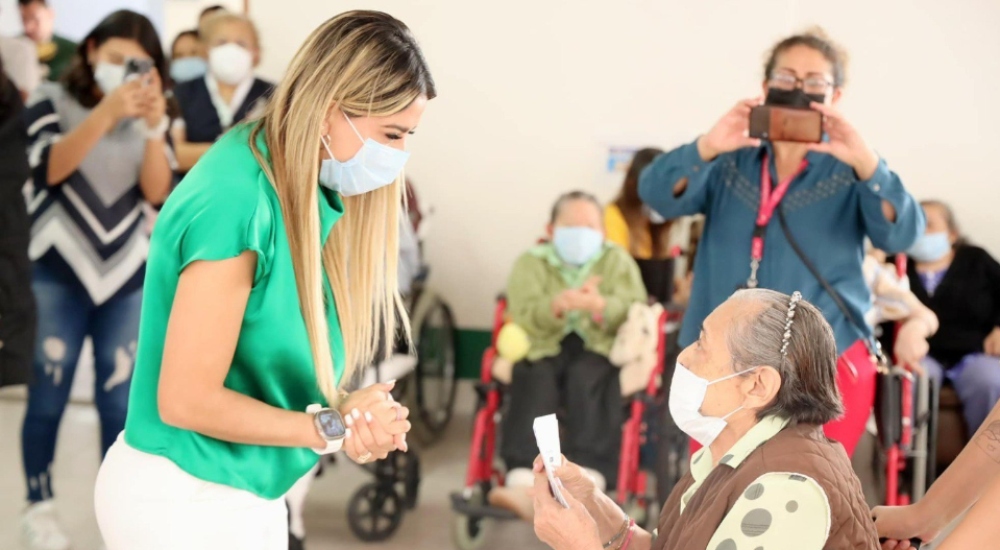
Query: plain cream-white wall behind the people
(531, 93)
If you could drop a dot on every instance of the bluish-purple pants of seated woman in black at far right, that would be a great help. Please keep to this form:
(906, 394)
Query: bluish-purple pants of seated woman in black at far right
(976, 378)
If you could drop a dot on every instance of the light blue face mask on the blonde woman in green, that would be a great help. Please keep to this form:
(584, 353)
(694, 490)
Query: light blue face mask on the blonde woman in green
(374, 166)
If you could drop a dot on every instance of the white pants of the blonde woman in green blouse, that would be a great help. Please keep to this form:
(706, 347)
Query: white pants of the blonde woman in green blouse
(147, 502)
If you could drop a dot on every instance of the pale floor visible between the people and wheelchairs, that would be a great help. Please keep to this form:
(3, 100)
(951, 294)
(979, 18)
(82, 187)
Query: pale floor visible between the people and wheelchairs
(427, 527)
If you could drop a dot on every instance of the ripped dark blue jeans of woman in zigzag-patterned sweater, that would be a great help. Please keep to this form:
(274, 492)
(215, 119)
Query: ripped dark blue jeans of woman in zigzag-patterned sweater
(66, 315)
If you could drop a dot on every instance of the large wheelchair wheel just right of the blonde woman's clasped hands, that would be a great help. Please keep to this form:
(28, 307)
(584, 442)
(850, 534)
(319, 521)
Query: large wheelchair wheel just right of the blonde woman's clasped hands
(433, 391)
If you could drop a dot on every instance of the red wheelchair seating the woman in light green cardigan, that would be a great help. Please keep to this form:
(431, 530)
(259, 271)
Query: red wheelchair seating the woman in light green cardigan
(473, 514)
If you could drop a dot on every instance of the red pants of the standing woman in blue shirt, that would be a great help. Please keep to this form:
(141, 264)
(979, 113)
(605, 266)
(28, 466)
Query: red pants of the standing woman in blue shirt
(856, 380)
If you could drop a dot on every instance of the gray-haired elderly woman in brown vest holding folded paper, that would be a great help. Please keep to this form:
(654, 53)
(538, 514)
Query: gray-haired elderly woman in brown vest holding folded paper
(755, 390)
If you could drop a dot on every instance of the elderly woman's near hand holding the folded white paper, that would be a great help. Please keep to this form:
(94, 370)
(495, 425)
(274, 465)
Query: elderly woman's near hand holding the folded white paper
(563, 528)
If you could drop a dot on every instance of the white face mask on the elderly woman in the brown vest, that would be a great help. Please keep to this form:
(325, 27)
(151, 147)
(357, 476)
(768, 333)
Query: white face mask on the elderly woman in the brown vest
(687, 394)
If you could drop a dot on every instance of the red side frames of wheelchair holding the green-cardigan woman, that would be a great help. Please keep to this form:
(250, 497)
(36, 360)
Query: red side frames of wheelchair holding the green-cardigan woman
(482, 474)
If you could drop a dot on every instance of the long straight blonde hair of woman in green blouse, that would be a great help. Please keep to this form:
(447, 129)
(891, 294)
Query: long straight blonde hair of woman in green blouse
(368, 64)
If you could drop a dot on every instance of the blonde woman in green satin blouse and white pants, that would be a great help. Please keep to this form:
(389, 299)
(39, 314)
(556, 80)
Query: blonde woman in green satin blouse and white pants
(271, 267)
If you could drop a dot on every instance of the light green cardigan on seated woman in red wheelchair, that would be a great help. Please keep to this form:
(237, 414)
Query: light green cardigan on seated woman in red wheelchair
(539, 276)
